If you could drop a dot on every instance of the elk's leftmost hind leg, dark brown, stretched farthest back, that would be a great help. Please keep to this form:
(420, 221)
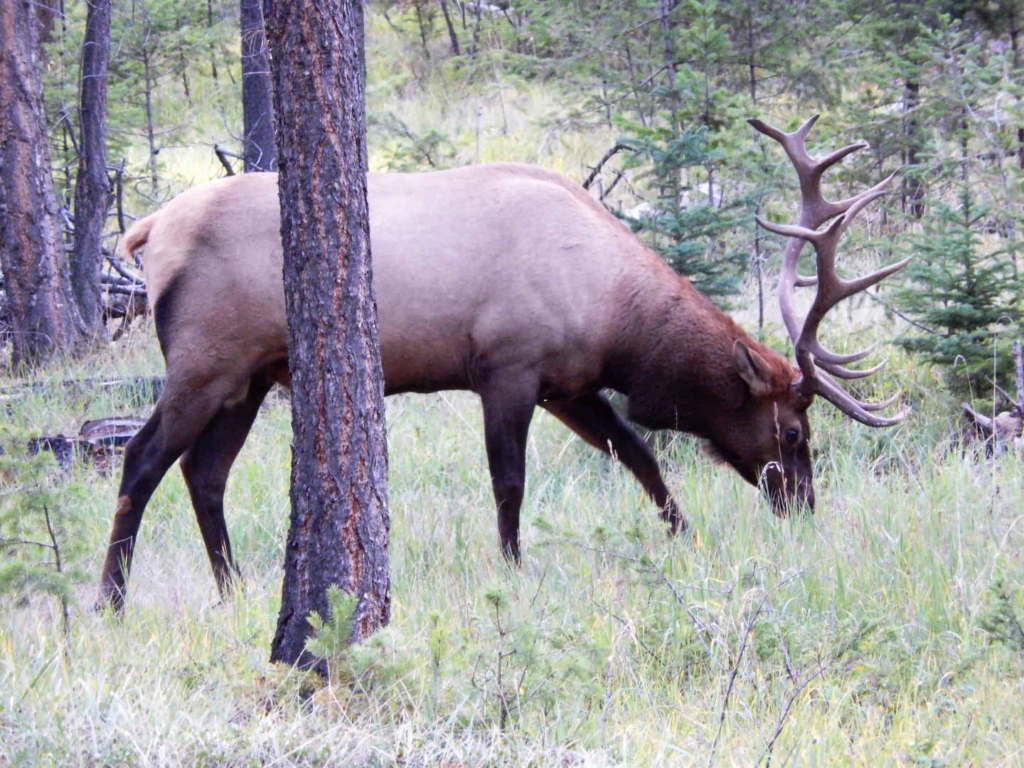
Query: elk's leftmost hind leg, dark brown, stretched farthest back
(177, 422)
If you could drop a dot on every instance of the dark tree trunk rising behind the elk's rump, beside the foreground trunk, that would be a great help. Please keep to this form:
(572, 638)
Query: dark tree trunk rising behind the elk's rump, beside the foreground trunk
(259, 152)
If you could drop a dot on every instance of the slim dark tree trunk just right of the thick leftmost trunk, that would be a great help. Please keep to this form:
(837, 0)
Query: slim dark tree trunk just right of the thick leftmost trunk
(93, 190)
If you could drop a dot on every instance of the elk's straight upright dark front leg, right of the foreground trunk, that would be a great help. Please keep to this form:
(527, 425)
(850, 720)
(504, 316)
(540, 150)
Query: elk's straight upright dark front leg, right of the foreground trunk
(507, 411)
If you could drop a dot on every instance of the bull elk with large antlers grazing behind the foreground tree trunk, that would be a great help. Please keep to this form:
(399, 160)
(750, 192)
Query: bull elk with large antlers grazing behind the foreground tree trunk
(504, 280)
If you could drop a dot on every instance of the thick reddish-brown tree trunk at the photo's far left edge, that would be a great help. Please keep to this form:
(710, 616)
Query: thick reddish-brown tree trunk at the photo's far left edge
(44, 316)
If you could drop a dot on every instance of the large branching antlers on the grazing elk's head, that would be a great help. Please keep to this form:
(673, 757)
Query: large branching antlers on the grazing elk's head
(816, 362)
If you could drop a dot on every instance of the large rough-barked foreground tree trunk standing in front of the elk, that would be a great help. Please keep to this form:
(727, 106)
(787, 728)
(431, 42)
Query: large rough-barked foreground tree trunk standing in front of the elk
(339, 525)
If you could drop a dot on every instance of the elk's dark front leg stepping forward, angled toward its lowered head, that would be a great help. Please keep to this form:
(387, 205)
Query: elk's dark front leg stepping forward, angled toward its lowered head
(594, 419)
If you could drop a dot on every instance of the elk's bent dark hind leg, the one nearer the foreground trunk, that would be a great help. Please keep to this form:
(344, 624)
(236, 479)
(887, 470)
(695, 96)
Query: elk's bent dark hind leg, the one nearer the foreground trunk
(206, 465)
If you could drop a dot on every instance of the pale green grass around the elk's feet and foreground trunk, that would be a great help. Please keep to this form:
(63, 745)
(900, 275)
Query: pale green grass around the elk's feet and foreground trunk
(864, 635)
